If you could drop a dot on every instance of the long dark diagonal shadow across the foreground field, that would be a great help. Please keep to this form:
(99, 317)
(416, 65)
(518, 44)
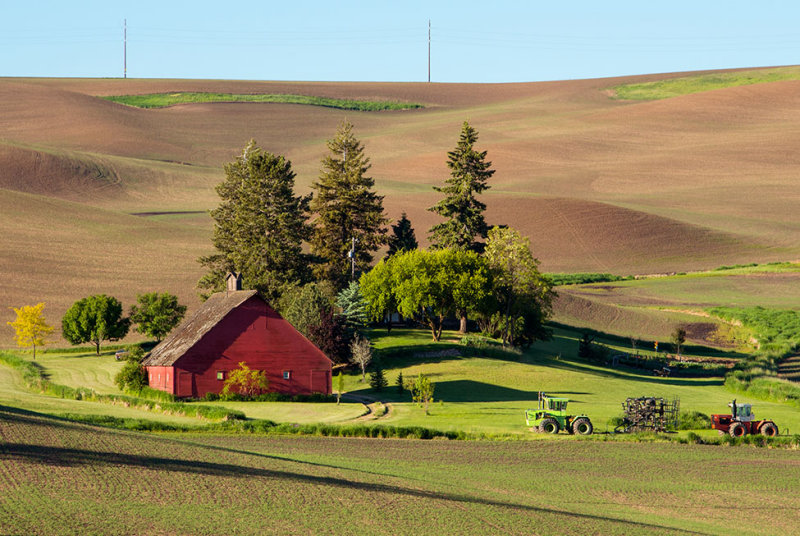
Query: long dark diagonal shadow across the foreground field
(50, 456)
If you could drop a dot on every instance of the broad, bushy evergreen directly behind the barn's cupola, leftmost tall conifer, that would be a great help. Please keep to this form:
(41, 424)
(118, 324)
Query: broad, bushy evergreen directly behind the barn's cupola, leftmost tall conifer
(259, 225)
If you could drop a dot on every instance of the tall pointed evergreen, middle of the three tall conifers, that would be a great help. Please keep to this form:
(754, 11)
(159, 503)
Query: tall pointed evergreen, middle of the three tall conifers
(348, 210)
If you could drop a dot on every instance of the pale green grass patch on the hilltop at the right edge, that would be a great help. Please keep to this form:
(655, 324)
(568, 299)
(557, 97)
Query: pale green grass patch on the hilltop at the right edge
(674, 87)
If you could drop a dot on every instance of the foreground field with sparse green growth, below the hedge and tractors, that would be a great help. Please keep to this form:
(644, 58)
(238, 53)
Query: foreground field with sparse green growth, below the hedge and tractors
(61, 478)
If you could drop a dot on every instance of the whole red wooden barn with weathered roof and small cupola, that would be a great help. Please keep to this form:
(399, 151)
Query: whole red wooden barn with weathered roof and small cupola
(231, 327)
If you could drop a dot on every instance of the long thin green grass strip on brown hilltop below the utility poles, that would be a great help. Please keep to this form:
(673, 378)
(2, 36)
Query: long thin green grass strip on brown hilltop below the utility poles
(162, 100)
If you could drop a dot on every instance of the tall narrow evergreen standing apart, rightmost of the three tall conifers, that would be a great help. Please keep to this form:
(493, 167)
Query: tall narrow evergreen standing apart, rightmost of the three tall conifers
(463, 213)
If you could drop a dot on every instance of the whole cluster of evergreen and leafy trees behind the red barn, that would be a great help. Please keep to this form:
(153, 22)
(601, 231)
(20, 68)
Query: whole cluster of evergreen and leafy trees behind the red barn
(330, 289)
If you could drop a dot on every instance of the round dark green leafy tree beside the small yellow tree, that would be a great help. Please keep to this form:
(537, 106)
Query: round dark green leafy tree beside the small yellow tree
(94, 319)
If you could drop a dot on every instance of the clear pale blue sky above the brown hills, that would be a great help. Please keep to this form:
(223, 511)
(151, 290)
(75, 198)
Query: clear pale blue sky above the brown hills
(480, 41)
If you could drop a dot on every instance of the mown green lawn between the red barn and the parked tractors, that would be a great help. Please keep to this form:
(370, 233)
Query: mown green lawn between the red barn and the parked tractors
(490, 395)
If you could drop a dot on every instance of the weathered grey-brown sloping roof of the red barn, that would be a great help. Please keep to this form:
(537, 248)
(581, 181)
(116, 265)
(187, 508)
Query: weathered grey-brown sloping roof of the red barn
(190, 331)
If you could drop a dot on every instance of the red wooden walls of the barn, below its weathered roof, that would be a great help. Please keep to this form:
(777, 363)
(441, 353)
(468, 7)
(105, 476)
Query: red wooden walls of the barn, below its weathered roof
(257, 335)
